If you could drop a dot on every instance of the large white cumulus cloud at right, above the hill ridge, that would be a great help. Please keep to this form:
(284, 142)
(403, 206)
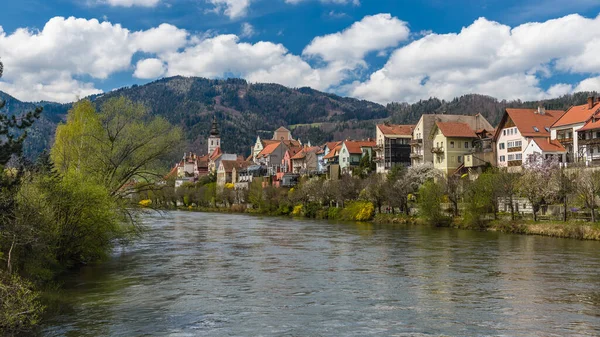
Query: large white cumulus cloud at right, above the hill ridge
(488, 58)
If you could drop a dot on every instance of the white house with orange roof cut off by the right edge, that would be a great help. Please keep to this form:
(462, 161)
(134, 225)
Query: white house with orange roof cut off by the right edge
(567, 129)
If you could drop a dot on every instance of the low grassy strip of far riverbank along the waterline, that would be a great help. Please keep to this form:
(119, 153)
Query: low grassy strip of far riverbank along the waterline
(578, 230)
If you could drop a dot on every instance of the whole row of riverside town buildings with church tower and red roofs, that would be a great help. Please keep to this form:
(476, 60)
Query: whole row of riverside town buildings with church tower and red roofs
(453, 144)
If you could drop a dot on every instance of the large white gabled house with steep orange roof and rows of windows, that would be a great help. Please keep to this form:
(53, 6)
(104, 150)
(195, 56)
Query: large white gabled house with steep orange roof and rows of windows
(517, 128)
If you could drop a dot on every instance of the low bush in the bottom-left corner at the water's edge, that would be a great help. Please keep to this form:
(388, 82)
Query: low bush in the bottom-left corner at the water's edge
(20, 307)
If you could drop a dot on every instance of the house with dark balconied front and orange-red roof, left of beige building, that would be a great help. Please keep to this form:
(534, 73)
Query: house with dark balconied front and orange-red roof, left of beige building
(393, 146)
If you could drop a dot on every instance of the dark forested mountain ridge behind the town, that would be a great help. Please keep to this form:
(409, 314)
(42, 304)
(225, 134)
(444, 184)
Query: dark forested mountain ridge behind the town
(245, 110)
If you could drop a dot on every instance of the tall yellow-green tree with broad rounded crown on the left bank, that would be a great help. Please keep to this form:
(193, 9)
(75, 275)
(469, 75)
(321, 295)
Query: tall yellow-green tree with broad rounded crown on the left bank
(119, 145)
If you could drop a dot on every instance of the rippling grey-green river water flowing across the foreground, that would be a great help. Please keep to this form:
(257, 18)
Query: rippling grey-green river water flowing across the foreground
(198, 274)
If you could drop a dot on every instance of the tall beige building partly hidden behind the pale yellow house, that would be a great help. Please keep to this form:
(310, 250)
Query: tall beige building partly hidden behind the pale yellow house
(422, 143)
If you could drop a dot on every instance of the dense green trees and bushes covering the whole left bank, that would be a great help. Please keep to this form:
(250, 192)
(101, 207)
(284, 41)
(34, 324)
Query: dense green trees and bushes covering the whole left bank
(71, 206)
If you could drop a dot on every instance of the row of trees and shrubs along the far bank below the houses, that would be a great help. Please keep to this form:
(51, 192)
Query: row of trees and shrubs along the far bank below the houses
(417, 195)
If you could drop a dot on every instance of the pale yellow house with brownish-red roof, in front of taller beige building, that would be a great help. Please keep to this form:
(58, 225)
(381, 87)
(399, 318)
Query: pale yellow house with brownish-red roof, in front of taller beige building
(452, 141)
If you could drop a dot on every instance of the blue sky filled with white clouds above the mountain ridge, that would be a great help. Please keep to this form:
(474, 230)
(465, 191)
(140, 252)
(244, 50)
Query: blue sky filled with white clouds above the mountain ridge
(379, 50)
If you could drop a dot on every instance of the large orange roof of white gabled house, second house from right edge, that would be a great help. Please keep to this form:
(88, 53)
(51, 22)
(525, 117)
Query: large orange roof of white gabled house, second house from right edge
(526, 119)
